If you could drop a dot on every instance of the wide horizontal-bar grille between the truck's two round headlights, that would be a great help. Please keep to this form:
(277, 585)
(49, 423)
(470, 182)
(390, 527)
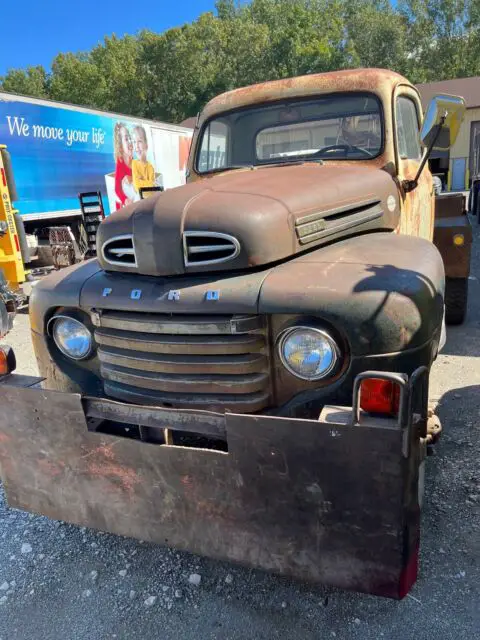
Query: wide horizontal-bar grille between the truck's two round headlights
(216, 363)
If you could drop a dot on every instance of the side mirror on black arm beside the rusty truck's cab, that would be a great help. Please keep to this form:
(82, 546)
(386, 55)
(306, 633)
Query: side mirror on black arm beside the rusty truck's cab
(442, 121)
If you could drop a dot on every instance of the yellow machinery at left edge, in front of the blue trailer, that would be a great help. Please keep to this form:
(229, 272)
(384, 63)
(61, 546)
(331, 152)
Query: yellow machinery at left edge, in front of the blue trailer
(11, 259)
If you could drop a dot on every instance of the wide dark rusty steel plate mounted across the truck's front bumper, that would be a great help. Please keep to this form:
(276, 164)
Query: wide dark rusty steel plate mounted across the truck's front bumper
(333, 501)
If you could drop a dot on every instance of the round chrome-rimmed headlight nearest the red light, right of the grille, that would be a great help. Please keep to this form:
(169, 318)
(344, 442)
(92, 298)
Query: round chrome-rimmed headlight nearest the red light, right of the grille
(310, 354)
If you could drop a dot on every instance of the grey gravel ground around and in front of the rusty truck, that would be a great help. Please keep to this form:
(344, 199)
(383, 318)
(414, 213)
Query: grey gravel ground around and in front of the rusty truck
(61, 582)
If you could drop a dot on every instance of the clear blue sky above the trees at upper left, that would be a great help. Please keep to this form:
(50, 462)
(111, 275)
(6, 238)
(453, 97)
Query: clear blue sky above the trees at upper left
(34, 31)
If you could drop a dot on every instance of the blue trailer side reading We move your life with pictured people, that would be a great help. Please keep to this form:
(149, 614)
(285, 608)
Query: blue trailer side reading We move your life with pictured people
(60, 150)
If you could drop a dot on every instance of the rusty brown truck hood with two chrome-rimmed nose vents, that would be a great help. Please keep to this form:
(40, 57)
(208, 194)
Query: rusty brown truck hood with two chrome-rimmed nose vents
(247, 218)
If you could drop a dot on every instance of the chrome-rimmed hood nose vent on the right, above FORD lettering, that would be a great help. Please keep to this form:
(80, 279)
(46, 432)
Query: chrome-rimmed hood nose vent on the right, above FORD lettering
(208, 247)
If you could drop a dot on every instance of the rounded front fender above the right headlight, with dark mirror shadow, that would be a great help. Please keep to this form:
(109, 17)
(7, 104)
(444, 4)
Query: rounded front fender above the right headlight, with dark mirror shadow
(384, 291)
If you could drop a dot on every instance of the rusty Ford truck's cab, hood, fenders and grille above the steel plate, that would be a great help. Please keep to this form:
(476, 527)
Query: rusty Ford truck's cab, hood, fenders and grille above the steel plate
(300, 211)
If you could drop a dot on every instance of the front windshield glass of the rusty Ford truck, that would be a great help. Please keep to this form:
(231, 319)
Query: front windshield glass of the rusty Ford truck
(335, 127)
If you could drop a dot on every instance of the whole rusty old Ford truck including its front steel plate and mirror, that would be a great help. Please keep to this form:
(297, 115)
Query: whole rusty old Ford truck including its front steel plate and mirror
(243, 371)
